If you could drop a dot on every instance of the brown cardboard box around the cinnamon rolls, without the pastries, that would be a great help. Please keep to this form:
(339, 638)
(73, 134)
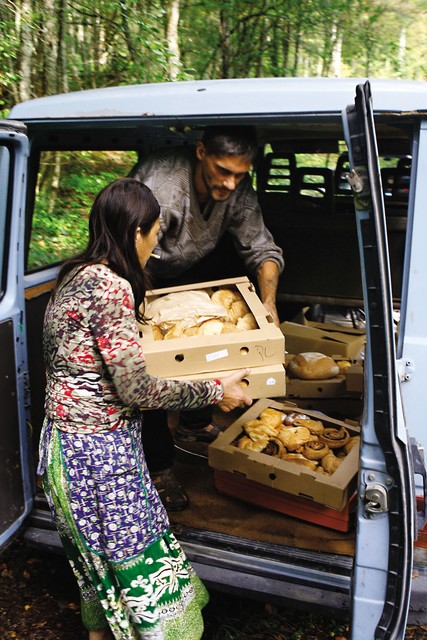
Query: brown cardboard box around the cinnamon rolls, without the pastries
(331, 491)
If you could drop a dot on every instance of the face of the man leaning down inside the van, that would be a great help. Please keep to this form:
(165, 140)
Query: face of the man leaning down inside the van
(218, 176)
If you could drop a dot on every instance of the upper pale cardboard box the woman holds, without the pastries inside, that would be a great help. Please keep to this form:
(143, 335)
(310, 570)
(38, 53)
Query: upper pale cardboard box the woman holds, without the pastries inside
(264, 346)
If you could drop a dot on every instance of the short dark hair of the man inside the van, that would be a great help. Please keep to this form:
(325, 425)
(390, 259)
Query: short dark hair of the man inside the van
(230, 141)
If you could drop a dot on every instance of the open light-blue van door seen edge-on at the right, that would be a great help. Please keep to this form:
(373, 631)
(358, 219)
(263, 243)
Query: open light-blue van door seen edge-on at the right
(386, 507)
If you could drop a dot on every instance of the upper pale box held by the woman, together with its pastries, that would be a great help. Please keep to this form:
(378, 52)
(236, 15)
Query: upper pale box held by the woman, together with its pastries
(194, 330)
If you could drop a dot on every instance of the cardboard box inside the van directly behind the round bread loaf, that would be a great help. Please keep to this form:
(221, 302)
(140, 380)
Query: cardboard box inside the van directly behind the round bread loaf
(333, 340)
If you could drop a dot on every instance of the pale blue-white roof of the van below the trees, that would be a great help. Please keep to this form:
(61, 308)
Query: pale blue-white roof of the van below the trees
(260, 96)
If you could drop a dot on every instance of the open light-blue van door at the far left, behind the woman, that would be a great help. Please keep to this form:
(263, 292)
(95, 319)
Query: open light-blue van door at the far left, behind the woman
(15, 465)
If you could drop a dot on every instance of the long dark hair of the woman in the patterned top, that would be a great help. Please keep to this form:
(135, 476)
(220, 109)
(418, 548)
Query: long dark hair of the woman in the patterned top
(118, 210)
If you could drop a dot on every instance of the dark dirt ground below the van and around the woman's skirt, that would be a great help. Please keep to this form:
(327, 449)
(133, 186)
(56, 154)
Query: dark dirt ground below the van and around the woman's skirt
(39, 601)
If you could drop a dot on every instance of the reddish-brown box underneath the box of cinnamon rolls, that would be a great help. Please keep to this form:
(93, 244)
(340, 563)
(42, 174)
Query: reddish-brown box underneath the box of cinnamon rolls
(236, 486)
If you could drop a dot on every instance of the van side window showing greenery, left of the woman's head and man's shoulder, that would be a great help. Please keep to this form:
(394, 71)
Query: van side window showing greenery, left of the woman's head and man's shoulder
(67, 184)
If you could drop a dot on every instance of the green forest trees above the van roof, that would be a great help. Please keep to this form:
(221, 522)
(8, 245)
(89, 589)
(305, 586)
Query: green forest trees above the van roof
(57, 46)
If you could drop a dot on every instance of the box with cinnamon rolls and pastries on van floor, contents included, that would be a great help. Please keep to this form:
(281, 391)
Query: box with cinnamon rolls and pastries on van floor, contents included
(326, 482)
